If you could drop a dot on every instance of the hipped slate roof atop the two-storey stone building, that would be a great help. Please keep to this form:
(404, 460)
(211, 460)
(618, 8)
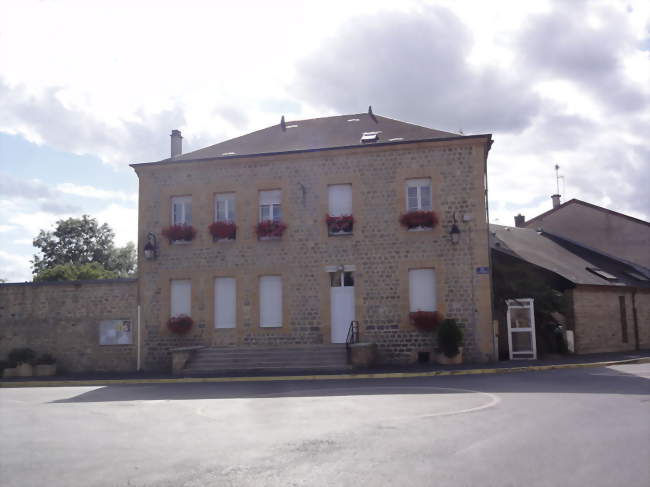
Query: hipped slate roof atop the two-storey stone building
(318, 133)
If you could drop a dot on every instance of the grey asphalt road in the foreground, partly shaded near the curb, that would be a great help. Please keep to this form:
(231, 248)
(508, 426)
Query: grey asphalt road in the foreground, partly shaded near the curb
(577, 427)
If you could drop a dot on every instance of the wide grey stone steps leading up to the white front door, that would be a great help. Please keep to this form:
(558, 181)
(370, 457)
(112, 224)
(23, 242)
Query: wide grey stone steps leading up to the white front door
(217, 360)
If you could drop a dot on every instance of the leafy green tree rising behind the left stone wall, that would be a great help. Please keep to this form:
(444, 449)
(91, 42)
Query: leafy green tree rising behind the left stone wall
(76, 242)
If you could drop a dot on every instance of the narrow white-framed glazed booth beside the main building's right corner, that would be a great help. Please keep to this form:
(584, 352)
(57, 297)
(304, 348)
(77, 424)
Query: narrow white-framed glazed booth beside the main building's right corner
(521, 329)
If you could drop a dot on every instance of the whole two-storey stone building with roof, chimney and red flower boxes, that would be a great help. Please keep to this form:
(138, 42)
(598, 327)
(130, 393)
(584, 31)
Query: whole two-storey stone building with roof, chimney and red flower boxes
(284, 275)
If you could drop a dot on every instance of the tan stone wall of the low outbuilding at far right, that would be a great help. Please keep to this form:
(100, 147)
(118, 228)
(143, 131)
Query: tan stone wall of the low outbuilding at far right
(598, 322)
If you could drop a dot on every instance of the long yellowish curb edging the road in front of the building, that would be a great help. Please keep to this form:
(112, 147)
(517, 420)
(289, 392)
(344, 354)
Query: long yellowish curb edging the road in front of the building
(386, 375)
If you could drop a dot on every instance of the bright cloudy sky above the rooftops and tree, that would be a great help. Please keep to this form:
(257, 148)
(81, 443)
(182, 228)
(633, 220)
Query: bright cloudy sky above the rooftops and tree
(89, 87)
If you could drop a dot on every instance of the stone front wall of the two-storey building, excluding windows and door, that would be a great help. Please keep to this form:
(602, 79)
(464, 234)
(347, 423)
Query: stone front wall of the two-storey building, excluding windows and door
(380, 249)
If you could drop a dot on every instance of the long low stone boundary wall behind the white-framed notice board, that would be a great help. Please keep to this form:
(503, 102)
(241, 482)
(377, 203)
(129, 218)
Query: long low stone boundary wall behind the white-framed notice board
(62, 319)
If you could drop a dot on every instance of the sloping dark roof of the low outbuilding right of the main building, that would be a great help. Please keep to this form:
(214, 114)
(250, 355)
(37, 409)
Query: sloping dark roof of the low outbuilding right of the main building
(567, 260)
